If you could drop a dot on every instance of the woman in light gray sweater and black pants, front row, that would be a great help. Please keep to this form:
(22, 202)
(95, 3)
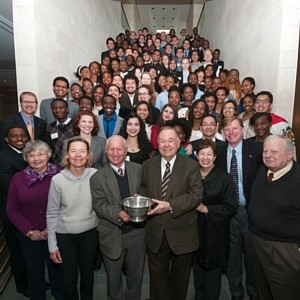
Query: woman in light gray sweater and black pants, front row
(72, 222)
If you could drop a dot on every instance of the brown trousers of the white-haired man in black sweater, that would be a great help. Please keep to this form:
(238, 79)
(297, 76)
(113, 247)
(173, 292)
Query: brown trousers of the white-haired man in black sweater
(276, 267)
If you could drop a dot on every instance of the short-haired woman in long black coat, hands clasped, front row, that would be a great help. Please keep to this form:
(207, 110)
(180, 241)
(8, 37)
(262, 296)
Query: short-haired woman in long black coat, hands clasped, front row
(217, 207)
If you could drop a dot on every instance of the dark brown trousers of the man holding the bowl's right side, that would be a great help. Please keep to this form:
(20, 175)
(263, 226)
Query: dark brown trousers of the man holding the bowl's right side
(169, 273)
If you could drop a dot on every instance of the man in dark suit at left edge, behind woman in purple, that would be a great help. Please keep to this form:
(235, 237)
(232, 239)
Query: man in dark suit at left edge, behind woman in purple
(11, 162)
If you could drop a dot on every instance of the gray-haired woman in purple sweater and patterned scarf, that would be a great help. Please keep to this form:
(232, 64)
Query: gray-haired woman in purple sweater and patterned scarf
(26, 209)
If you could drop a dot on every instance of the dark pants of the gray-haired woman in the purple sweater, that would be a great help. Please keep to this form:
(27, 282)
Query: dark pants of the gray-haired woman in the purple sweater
(36, 256)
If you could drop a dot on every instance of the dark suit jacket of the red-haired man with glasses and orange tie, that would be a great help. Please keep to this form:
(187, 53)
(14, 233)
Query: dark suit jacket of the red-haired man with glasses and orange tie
(40, 128)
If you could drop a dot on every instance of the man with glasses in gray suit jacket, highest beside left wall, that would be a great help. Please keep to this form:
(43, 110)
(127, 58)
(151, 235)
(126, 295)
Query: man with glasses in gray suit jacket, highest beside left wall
(60, 90)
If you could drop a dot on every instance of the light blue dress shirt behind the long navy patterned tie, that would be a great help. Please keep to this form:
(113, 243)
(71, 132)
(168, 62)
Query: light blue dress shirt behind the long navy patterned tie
(239, 155)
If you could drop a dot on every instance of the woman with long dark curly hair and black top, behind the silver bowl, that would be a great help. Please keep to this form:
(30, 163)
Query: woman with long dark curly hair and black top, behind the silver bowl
(138, 145)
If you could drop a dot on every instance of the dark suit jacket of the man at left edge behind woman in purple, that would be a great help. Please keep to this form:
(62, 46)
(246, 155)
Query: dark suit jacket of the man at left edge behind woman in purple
(11, 162)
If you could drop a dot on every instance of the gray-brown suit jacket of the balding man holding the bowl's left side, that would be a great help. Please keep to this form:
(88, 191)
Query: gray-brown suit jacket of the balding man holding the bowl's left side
(107, 204)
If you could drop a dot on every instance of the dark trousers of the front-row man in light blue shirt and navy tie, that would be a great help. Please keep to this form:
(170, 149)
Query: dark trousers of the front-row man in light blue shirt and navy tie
(239, 246)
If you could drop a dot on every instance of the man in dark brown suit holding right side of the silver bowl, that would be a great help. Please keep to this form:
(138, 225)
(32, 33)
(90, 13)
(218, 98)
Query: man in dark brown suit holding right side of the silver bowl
(171, 229)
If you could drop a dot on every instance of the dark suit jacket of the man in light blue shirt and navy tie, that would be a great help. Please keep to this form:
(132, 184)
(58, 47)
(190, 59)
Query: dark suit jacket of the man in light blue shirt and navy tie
(251, 160)
